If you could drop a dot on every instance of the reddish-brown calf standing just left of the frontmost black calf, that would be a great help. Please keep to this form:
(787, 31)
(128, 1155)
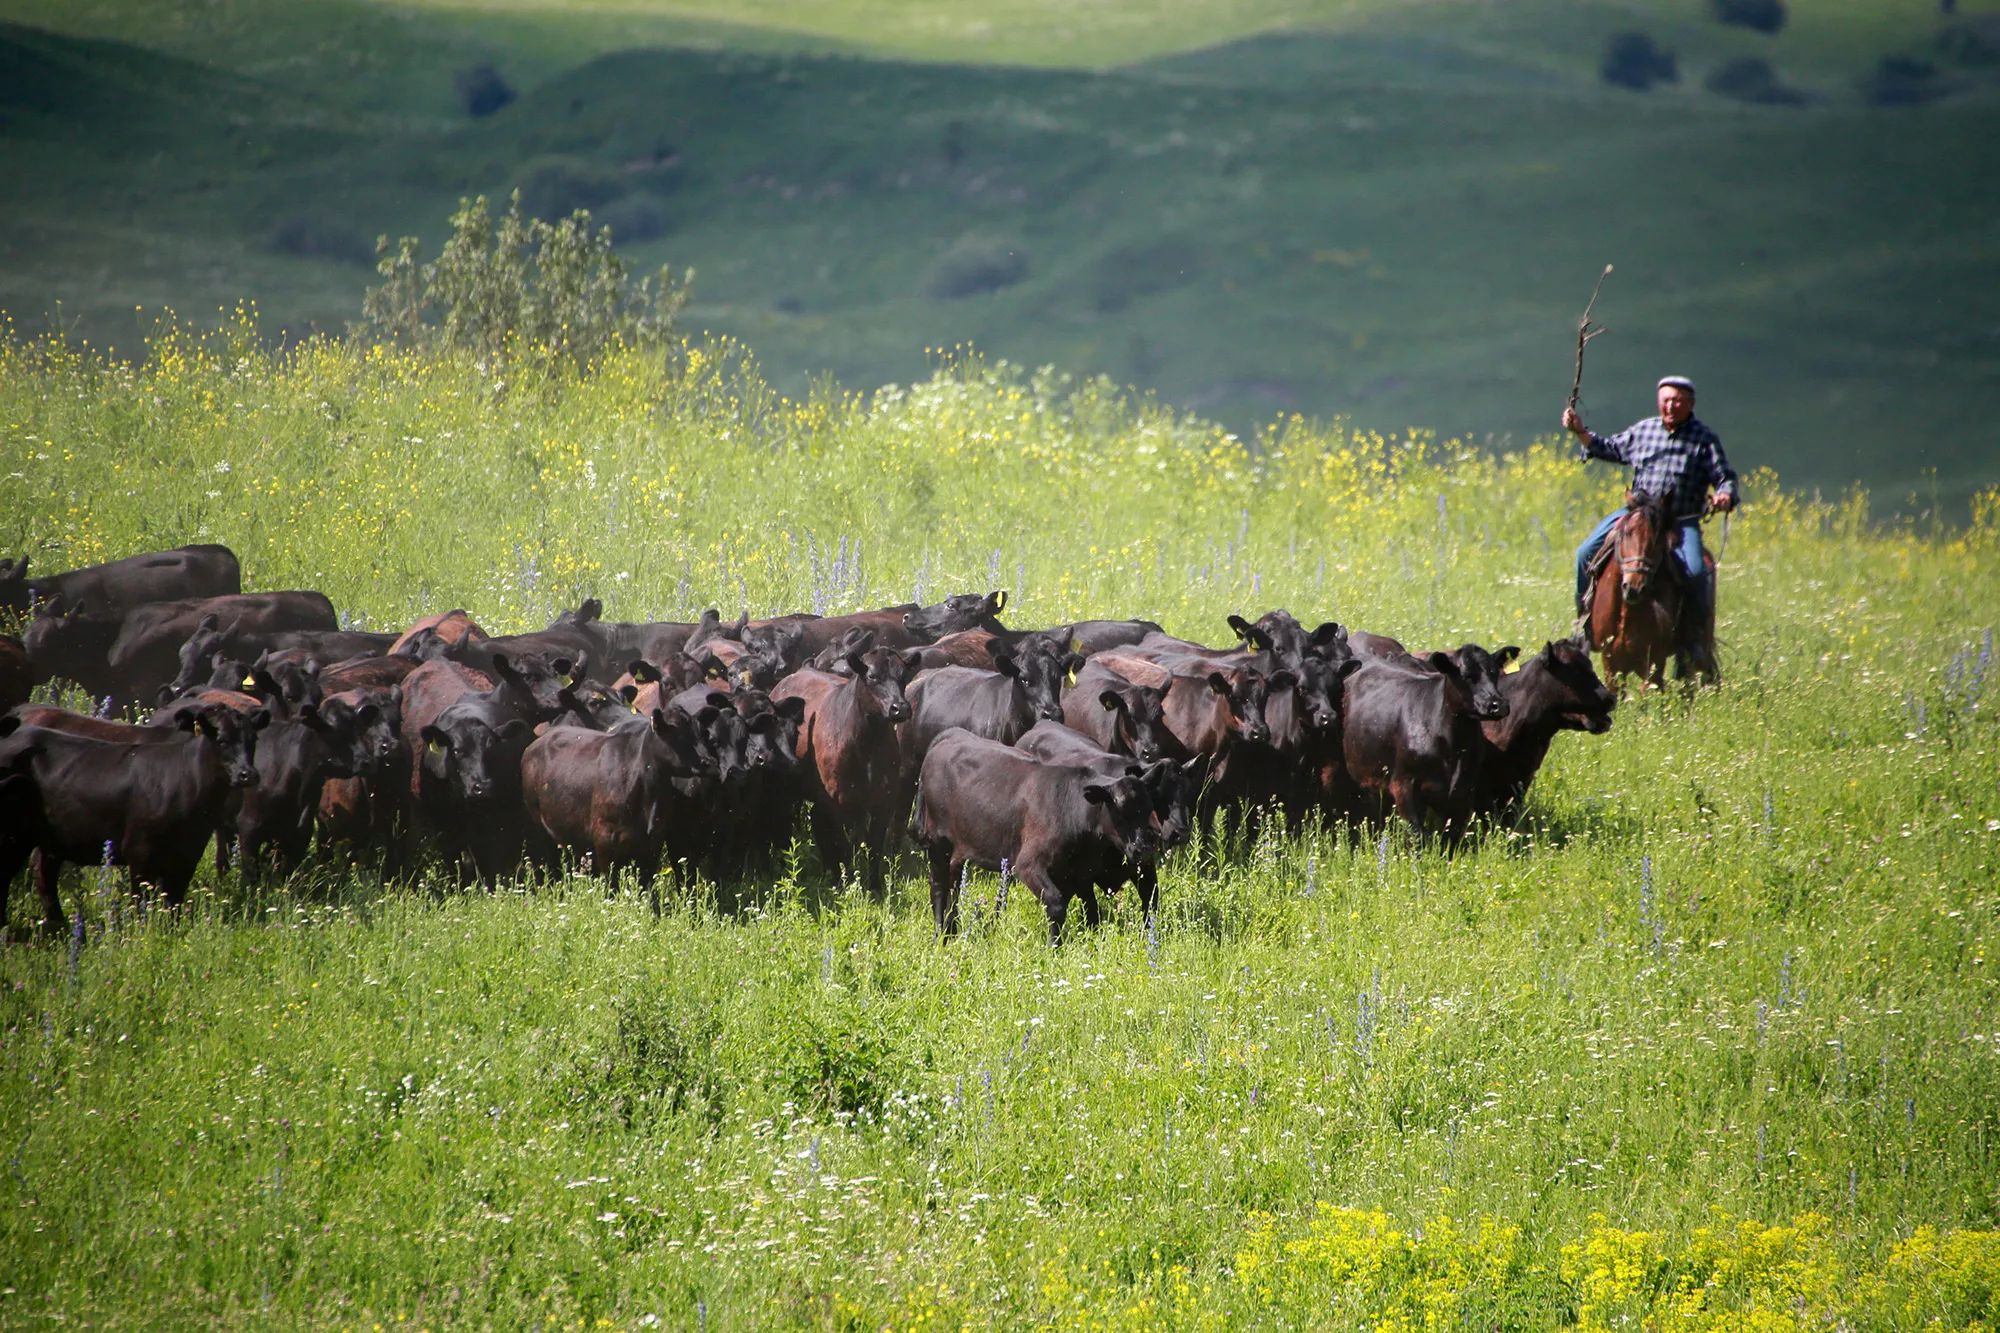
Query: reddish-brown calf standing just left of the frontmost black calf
(853, 758)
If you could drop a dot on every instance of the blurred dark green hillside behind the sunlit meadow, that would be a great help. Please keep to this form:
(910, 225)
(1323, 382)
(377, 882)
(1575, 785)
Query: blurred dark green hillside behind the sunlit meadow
(1361, 211)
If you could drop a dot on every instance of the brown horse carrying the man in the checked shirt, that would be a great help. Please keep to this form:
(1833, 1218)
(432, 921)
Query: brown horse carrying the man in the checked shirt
(1637, 601)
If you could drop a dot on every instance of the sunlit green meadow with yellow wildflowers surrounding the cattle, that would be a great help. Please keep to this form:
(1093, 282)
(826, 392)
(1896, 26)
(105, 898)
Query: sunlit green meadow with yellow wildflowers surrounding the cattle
(1707, 1044)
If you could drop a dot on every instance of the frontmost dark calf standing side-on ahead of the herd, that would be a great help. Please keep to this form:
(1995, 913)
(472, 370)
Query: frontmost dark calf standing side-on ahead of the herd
(1061, 830)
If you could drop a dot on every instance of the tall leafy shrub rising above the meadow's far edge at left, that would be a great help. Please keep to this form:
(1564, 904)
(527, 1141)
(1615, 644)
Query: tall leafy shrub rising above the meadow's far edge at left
(523, 285)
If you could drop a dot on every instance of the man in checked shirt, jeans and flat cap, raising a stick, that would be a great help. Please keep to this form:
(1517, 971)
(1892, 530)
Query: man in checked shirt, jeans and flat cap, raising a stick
(1675, 459)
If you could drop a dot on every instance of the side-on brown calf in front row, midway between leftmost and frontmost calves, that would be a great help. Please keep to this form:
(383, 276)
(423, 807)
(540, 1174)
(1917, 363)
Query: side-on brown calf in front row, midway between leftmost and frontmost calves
(609, 794)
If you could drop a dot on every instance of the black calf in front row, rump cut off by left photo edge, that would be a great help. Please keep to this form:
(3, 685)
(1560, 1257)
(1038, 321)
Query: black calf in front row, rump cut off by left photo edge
(143, 806)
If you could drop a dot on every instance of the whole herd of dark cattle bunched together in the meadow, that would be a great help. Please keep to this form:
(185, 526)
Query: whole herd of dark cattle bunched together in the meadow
(1071, 758)
